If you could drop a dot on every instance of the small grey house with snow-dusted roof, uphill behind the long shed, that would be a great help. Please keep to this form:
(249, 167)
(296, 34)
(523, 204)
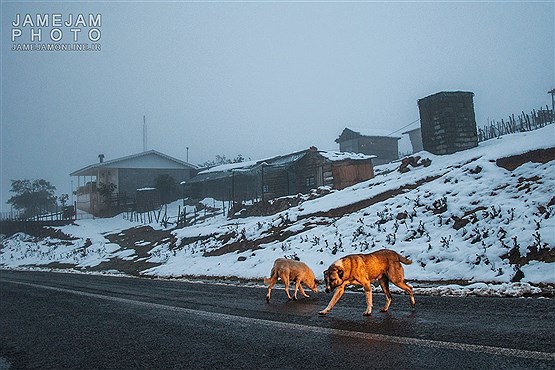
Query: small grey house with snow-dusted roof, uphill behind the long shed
(384, 147)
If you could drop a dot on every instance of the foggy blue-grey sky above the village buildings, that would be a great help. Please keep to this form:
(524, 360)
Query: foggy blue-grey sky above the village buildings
(258, 78)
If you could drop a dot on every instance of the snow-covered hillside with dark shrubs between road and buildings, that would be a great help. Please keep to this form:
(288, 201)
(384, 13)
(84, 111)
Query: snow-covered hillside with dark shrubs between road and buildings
(470, 216)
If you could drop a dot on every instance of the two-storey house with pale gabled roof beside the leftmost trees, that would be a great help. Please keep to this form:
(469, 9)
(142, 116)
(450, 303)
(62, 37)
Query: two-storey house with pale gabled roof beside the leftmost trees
(127, 176)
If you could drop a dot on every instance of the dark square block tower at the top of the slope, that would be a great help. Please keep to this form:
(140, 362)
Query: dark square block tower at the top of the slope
(448, 122)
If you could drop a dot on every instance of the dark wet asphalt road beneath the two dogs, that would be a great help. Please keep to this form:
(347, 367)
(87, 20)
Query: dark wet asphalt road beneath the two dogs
(55, 321)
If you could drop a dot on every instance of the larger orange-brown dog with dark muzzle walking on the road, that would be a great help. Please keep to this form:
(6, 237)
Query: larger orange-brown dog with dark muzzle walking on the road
(362, 269)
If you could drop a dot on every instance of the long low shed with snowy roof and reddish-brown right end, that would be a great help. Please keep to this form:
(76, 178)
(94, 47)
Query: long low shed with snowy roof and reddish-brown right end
(279, 176)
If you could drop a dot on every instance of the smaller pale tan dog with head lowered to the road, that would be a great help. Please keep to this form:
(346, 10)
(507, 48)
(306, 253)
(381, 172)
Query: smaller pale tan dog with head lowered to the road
(291, 270)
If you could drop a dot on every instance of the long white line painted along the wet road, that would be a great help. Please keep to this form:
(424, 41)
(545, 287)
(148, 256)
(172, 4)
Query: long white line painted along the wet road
(501, 351)
